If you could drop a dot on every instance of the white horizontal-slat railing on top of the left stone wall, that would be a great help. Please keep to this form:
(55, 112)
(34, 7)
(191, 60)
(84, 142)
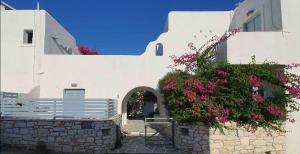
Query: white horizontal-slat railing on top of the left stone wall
(49, 108)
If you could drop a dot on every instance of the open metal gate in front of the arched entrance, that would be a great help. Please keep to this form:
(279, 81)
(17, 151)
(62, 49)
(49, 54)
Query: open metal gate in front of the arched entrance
(163, 126)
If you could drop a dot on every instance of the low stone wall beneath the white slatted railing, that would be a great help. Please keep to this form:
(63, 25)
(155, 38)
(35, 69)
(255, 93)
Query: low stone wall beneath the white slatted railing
(67, 135)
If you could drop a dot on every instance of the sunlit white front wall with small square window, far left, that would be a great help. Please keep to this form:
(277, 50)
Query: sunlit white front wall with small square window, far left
(18, 60)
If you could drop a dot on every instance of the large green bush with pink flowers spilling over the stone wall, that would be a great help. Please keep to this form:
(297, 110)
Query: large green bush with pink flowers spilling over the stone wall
(251, 95)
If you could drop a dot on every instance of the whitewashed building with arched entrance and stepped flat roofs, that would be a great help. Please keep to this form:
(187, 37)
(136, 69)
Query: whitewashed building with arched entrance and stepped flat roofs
(39, 57)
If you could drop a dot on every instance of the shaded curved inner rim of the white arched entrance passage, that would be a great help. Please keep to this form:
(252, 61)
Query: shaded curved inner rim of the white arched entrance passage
(159, 99)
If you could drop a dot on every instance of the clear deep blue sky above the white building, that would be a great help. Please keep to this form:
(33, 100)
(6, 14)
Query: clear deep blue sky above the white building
(118, 26)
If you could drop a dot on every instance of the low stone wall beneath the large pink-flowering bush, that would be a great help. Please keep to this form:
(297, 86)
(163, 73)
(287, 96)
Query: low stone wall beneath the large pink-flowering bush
(197, 138)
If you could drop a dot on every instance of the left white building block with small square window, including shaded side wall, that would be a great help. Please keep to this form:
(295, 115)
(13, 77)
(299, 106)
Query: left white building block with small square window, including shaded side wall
(20, 63)
